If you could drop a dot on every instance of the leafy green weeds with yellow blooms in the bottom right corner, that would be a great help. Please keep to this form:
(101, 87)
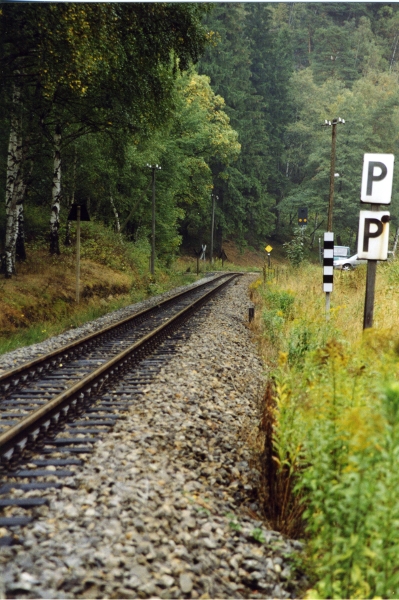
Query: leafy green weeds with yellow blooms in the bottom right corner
(350, 495)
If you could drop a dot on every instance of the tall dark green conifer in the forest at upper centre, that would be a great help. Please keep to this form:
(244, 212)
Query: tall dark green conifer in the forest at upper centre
(250, 68)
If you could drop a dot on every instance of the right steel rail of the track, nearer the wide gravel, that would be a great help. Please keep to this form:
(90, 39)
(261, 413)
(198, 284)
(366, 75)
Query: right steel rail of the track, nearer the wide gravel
(49, 415)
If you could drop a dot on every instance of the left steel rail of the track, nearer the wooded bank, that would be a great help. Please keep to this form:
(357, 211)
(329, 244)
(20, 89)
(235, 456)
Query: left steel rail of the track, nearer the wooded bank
(26, 370)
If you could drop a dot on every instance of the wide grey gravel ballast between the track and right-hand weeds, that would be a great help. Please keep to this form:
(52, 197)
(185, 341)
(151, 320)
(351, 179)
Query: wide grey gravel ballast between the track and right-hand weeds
(165, 506)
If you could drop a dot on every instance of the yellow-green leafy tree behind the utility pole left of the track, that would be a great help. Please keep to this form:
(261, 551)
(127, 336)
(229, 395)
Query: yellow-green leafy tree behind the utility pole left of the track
(112, 173)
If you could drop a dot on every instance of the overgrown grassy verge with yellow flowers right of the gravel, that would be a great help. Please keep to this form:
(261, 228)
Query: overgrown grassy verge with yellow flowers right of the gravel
(330, 427)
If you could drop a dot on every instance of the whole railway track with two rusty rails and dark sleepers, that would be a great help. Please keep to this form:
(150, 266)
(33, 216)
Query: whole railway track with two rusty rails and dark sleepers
(62, 403)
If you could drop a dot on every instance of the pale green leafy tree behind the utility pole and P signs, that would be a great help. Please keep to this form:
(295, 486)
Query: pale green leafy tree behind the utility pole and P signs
(371, 112)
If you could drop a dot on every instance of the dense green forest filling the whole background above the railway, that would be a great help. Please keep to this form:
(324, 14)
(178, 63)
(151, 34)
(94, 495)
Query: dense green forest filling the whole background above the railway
(229, 99)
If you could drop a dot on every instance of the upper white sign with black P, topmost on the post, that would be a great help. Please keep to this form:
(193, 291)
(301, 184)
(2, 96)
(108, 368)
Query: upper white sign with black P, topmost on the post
(377, 178)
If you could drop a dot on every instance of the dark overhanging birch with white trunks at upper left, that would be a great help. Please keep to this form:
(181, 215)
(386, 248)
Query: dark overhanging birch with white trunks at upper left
(86, 68)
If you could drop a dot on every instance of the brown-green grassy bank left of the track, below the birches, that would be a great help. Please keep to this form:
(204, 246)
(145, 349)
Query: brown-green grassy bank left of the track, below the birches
(39, 301)
